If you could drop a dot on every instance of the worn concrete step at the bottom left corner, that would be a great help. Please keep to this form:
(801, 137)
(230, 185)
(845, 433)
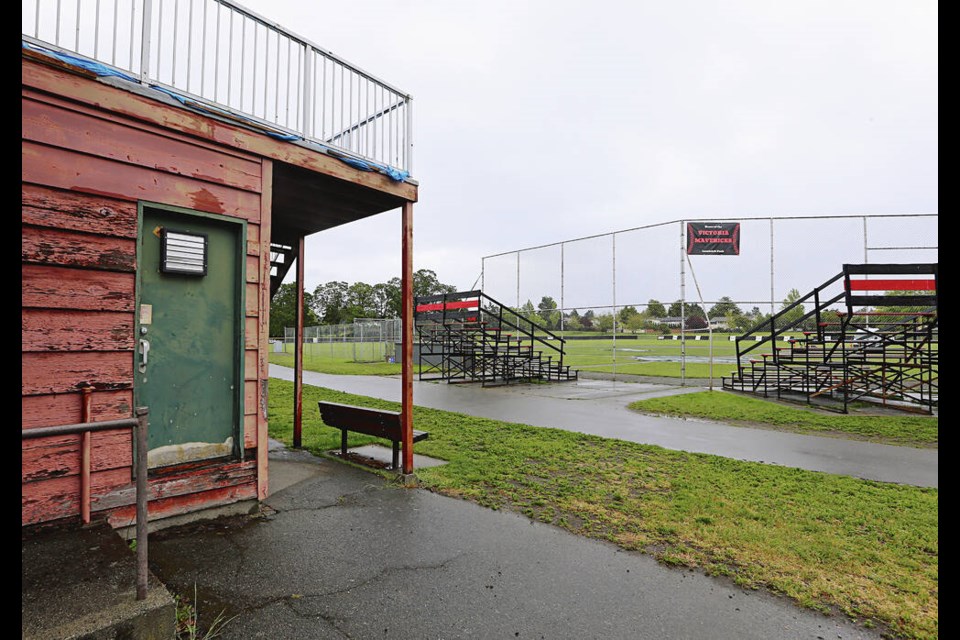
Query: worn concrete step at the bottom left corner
(79, 583)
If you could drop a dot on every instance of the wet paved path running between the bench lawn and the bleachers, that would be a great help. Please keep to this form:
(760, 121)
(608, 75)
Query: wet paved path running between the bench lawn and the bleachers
(599, 407)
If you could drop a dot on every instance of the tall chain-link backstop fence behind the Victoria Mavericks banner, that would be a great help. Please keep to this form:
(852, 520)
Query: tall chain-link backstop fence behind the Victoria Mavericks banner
(629, 299)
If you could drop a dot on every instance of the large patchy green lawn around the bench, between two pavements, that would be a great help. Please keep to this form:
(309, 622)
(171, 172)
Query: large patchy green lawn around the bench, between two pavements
(867, 549)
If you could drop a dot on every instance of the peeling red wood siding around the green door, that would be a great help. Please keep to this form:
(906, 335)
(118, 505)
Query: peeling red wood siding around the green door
(87, 161)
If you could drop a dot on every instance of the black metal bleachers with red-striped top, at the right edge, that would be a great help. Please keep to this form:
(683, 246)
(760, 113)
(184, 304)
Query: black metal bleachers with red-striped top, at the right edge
(888, 358)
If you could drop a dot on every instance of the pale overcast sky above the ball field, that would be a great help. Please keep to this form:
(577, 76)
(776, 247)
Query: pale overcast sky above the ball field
(536, 122)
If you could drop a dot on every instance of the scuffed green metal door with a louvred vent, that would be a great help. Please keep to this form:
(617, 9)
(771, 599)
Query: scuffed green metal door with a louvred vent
(189, 364)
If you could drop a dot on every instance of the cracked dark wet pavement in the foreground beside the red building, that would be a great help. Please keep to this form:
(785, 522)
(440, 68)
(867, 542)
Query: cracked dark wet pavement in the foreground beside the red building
(343, 553)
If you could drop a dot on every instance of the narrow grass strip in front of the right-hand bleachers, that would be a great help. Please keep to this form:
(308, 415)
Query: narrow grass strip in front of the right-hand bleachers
(731, 408)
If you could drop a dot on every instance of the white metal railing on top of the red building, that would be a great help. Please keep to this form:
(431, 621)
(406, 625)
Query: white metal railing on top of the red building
(219, 53)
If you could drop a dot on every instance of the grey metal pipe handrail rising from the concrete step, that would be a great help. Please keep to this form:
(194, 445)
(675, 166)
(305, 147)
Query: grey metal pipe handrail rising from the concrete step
(139, 425)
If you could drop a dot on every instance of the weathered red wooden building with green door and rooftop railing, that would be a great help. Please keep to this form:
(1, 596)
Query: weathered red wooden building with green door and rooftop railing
(155, 222)
